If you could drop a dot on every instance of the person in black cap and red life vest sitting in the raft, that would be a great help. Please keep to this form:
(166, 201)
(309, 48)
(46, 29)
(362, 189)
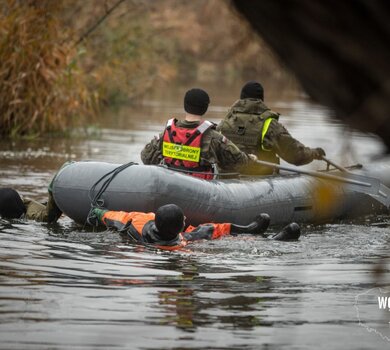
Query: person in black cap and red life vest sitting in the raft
(206, 148)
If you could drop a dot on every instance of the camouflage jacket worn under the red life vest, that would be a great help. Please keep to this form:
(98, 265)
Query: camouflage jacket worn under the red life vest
(215, 149)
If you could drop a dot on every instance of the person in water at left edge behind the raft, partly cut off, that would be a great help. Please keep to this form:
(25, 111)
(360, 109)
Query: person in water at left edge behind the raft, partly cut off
(13, 206)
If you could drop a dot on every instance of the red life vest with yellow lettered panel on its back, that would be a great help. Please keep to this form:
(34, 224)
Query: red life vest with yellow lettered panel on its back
(182, 146)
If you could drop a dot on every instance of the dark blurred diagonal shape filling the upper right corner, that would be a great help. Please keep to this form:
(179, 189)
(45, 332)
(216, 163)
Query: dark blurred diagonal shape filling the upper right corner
(339, 62)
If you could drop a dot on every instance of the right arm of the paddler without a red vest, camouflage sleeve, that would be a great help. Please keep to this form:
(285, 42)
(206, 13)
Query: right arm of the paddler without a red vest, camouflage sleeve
(288, 148)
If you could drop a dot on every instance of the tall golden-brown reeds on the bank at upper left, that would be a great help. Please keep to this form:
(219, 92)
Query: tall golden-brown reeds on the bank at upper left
(41, 89)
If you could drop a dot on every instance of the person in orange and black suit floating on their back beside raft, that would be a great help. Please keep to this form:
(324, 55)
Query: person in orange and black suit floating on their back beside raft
(166, 228)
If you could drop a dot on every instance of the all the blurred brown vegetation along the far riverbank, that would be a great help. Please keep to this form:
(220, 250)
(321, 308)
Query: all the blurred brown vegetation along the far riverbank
(62, 61)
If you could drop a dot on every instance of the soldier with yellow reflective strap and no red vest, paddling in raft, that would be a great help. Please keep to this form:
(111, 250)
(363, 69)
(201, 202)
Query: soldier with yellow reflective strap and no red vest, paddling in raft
(254, 128)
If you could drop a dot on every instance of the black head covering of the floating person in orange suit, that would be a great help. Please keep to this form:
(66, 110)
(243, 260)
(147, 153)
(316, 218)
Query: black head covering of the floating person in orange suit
(169, 221)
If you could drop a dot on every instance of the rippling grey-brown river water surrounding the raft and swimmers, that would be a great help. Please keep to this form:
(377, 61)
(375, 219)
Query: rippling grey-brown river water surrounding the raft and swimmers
(65, 288)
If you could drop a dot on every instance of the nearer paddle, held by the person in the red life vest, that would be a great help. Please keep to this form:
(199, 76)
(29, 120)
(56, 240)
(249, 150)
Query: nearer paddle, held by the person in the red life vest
(358, 183)
